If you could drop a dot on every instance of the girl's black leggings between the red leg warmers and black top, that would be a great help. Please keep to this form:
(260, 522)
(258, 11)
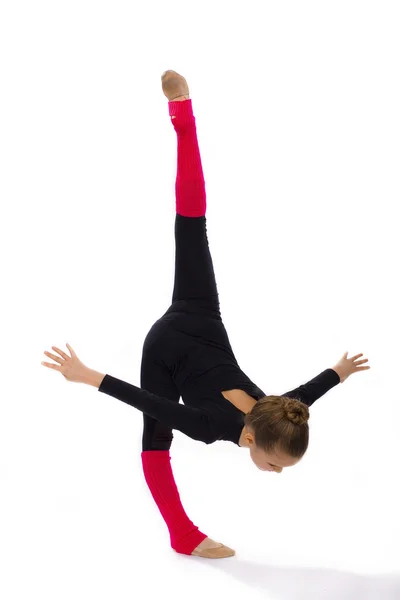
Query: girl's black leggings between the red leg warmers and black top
(195, 291)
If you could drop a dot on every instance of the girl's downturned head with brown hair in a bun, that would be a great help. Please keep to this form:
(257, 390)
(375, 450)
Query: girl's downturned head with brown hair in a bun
(276, 431)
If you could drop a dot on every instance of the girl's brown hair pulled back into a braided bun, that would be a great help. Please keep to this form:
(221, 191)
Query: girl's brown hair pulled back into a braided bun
(280, 423)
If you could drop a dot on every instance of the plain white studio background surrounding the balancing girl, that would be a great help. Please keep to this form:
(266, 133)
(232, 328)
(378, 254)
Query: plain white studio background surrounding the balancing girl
(297, 112)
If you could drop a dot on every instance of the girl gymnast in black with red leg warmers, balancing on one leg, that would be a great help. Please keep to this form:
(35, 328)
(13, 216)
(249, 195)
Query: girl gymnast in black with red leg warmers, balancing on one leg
(187, 353)
